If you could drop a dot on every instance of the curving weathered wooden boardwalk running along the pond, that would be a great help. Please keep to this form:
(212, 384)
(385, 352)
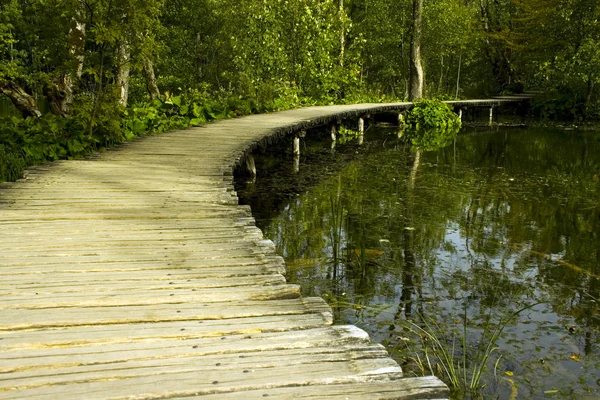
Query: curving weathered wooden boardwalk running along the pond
(135, 274)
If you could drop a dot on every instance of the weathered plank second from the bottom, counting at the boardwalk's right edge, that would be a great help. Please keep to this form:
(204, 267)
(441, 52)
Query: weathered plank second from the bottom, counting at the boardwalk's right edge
(171, 381)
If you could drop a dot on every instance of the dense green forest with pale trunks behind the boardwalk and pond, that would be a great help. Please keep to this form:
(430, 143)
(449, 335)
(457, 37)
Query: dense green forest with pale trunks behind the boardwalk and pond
(90, 73)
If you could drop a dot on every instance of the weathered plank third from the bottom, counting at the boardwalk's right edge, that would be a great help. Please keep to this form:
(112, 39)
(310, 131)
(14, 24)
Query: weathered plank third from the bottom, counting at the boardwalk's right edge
(100, 366)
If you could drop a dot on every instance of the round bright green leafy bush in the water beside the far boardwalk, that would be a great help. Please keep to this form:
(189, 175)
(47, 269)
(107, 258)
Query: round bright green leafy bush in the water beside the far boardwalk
(431, 125)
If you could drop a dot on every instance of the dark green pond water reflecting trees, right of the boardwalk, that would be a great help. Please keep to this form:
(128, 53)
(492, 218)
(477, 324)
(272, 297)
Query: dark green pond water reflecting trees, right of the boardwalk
(454, 241)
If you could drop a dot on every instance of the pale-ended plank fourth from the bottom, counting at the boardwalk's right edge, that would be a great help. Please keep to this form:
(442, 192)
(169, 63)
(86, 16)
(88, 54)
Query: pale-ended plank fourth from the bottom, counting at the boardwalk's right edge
(21, 359)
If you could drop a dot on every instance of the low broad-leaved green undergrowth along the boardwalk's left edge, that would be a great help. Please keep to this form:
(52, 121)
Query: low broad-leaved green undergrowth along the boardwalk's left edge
(31, 141)
